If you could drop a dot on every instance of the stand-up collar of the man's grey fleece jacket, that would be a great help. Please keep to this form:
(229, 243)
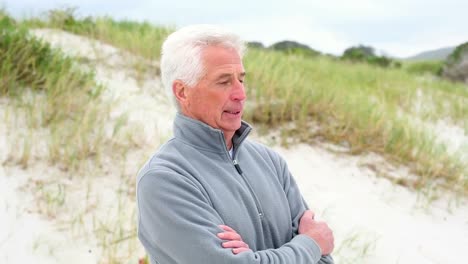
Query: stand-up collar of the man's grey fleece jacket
(203, 136)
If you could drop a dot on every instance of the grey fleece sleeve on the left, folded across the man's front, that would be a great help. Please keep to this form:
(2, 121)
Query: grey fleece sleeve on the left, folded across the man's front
(177, 224)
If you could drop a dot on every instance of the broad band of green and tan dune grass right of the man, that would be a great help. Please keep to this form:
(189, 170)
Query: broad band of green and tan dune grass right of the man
(369, 108)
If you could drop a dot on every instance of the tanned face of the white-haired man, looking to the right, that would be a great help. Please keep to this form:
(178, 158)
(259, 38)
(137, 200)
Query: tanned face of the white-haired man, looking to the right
(218, 98)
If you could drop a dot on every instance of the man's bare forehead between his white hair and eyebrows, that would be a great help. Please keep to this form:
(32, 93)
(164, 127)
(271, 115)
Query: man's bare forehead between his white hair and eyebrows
(218, 59)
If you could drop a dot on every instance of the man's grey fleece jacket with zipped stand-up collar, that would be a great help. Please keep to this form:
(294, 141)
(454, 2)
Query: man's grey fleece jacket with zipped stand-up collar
(192, 185)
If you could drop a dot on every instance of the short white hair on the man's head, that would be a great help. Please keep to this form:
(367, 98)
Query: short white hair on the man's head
(181, 53)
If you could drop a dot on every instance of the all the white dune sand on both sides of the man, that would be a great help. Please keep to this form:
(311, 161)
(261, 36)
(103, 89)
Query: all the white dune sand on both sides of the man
(373, 220)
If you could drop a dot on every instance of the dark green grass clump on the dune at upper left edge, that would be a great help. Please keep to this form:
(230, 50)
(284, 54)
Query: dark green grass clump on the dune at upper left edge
(28, 62)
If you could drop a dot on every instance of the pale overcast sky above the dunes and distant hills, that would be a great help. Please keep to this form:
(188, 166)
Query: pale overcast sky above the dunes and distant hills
(397, 27)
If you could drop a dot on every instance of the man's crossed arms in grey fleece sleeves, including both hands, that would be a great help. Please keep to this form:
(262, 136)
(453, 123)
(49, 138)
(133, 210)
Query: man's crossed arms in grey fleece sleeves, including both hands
(182, 227)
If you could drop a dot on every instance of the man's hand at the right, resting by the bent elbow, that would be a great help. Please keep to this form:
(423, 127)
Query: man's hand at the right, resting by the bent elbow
(318, 231)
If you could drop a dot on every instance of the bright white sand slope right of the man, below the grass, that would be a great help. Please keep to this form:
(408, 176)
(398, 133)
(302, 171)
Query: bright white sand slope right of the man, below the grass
(390, 220)
